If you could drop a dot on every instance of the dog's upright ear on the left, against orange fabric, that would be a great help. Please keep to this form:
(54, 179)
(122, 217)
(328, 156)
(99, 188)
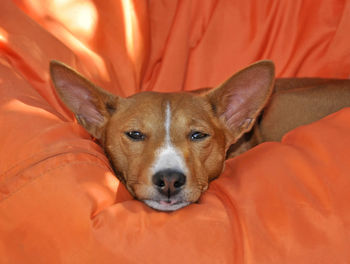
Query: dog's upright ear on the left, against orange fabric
(91, 105)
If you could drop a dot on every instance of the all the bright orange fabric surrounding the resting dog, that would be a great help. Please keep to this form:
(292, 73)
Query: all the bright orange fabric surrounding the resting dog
(59, 201)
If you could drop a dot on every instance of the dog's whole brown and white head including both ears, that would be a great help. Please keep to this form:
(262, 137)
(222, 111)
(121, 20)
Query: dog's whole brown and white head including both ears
(167, 147)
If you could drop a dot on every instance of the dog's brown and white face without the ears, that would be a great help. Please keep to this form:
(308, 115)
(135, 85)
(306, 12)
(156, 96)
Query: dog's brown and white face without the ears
(166, 146)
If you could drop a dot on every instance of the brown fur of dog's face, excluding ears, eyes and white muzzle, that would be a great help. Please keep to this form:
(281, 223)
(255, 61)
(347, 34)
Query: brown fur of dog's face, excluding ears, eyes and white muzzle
(188, 111)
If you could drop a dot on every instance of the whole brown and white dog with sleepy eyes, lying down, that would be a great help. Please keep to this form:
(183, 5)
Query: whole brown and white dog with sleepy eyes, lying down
(167, 147)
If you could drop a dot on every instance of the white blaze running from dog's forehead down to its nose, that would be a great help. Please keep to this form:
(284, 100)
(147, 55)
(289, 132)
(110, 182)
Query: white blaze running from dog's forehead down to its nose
(168, 156)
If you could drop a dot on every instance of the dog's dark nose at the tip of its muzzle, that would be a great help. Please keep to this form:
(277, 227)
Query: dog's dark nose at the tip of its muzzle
(169, 182)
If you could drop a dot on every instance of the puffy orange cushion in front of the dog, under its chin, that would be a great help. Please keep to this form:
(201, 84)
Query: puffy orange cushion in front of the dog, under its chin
(59, 202)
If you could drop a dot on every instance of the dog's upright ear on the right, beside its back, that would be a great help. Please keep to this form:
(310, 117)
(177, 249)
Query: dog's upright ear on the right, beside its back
(240, 99)
